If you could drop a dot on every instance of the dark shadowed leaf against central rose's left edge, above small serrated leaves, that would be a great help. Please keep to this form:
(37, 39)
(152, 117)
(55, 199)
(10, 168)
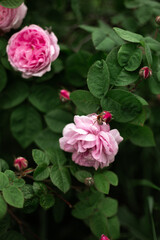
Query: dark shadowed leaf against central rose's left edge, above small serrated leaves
(47, 140)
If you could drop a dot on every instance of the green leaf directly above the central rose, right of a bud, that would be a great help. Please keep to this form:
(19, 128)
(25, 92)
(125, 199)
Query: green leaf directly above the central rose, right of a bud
(85, 101)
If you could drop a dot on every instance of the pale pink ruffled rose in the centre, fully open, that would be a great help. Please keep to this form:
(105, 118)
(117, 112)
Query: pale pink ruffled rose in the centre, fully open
(92, 144)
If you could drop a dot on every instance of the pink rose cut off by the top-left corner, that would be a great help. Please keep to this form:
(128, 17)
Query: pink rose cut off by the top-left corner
(11, 18)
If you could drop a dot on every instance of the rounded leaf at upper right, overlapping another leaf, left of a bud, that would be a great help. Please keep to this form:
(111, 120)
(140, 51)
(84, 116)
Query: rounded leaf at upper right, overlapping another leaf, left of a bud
(129, 56)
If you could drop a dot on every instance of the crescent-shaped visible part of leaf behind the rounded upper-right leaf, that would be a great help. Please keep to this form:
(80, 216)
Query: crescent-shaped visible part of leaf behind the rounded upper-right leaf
(118, 75)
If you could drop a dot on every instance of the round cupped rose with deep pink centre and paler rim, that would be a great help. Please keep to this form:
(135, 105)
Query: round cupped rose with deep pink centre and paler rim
(32, 50)
